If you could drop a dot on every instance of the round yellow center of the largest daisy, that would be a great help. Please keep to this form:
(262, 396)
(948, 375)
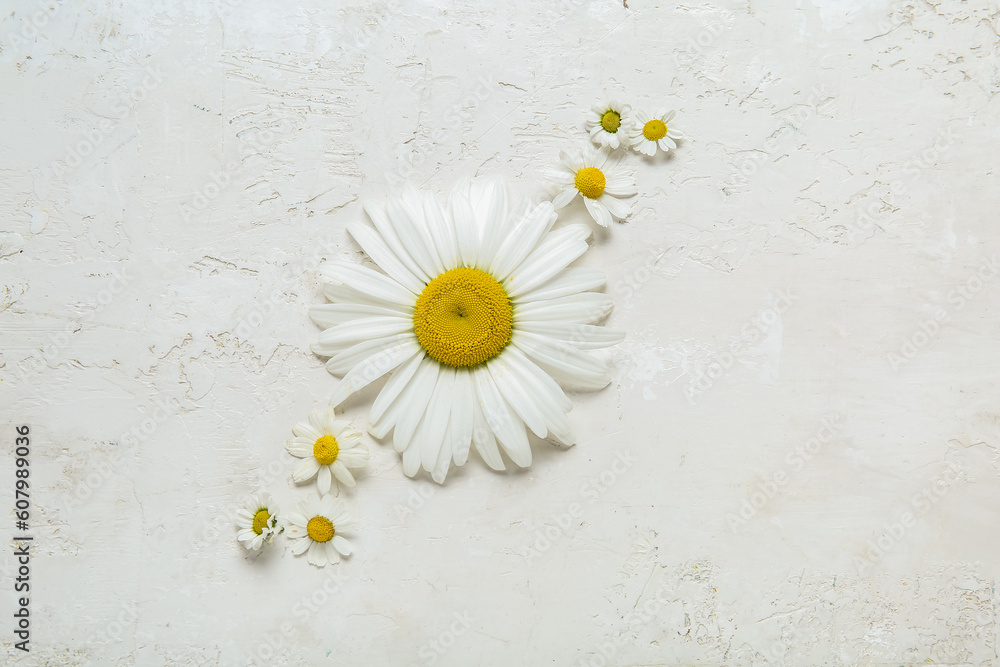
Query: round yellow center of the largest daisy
(463, 317)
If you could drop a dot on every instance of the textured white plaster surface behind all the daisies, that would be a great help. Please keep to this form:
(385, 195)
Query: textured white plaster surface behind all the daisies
(844, 151)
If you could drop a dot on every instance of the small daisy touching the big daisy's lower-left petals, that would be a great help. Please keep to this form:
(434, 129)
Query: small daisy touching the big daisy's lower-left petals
(329, 446)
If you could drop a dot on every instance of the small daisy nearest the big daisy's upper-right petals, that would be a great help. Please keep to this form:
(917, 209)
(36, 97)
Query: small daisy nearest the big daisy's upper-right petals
(598, 177)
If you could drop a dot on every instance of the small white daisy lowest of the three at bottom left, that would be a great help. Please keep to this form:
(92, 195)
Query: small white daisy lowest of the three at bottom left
(317, 528)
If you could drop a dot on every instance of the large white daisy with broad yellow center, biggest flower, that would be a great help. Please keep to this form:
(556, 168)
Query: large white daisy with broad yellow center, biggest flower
(478, 315)
